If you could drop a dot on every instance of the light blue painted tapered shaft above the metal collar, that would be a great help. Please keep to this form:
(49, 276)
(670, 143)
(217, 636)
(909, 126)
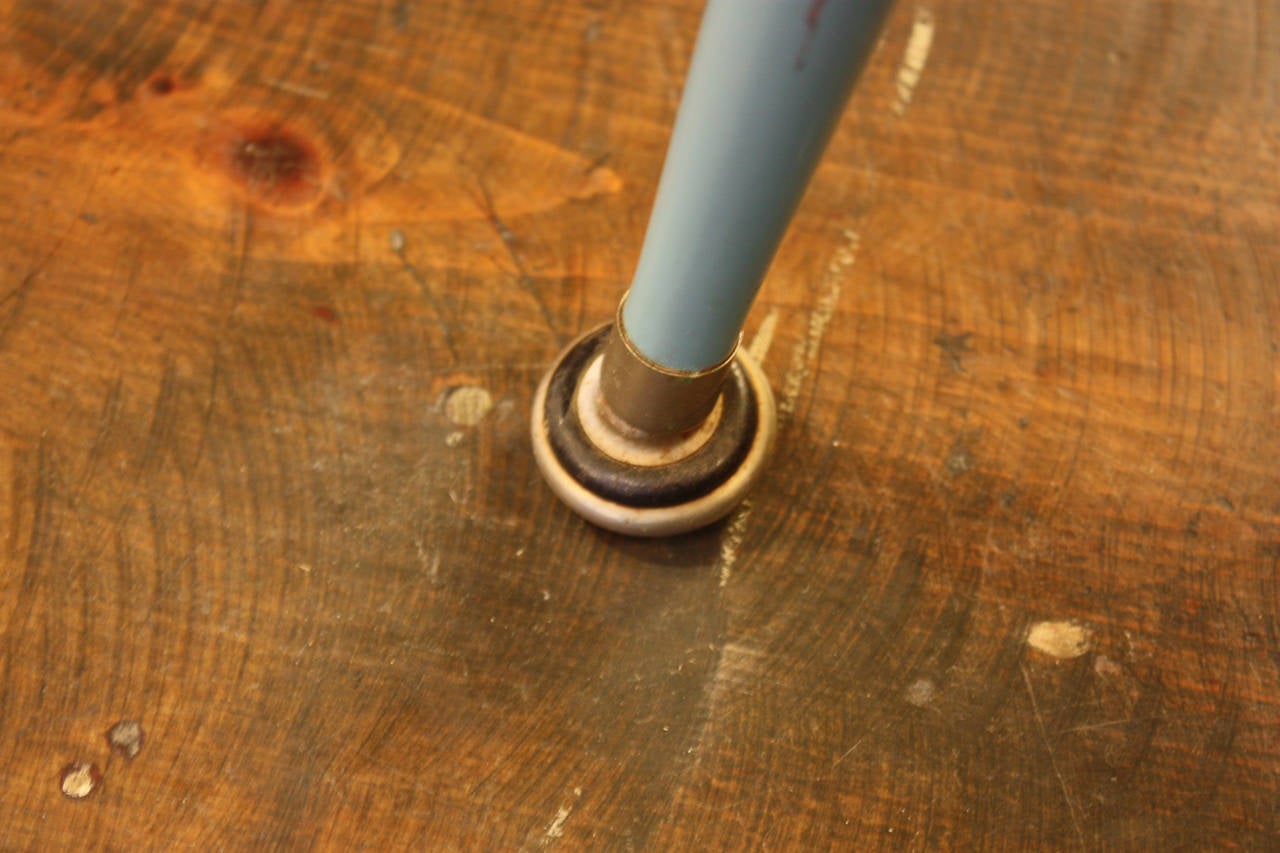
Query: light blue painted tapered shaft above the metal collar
(766, 88)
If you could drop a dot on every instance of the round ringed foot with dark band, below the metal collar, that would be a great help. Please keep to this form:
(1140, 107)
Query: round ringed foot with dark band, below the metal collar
(637, 483)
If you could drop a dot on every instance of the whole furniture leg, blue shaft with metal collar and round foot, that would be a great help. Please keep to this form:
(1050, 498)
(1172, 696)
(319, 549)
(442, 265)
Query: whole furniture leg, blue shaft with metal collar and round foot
(652, 426)
